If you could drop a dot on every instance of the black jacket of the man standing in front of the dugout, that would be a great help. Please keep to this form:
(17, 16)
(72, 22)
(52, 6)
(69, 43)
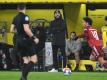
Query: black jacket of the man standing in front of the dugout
(58, 29)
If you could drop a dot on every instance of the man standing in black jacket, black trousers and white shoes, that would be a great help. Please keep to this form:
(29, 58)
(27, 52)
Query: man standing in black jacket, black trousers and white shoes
(58, 29)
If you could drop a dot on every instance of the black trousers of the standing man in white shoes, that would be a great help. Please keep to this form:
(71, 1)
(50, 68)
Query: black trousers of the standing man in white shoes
(55, 55)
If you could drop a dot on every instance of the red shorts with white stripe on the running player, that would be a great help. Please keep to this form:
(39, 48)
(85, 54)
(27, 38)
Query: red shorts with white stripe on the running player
(97, 51)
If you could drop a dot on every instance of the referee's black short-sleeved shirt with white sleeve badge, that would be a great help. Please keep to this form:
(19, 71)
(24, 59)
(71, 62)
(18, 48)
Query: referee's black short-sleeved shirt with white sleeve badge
(18, 22)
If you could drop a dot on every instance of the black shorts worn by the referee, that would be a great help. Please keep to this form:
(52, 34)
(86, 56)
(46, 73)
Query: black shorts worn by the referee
(26, 46)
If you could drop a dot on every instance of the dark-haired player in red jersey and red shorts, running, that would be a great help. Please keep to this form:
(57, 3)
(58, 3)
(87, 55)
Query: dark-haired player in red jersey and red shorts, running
(94, 42)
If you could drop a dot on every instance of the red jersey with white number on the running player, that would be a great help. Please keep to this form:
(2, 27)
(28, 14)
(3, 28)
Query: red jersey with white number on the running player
(92, 36)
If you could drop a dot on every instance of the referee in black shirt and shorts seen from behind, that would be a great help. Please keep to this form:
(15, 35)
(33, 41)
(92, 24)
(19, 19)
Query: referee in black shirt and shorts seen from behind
(25, 41)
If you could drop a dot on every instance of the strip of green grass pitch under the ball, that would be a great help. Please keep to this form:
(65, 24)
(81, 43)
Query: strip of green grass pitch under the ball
(55, 76)
